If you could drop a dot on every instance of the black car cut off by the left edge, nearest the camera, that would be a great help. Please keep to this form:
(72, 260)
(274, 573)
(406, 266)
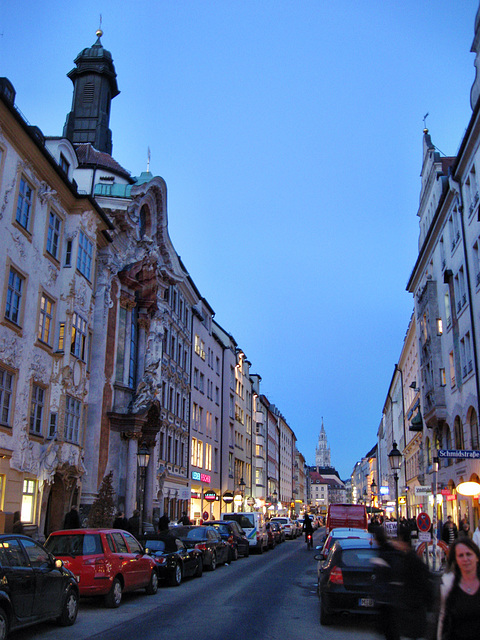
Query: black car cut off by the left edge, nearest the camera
(34, 586)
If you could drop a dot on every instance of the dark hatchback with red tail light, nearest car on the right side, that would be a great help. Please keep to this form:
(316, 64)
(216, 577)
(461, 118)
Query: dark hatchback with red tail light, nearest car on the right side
(347, 580)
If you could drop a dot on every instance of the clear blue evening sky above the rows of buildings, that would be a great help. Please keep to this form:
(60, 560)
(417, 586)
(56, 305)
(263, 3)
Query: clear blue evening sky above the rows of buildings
(289, 133)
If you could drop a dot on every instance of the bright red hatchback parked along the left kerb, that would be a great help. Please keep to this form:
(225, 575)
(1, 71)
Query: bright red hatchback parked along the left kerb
(105, 562)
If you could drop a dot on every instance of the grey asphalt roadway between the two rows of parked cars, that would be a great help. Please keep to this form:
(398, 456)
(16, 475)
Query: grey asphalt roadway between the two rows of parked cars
(267, 597)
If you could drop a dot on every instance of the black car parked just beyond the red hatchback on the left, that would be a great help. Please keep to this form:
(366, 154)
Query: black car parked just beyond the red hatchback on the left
(174, 560)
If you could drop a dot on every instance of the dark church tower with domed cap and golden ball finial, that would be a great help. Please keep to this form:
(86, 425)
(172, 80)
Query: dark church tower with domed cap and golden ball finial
(94, 86)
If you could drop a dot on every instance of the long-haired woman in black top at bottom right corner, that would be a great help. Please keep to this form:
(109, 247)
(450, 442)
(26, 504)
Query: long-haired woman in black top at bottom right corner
(459, 617)
